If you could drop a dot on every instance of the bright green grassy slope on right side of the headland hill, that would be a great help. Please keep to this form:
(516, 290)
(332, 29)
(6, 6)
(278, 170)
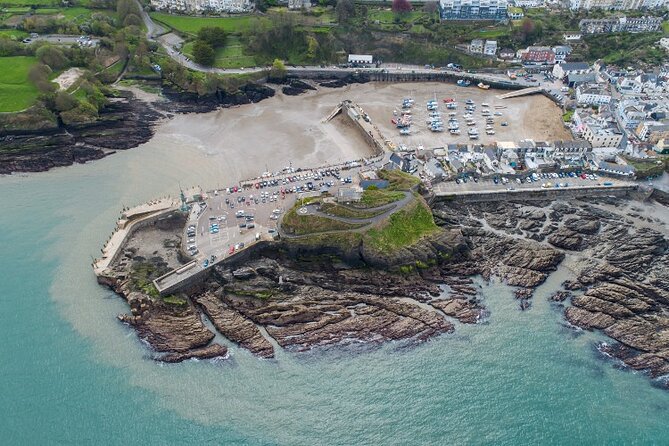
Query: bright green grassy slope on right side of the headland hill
(403, 228)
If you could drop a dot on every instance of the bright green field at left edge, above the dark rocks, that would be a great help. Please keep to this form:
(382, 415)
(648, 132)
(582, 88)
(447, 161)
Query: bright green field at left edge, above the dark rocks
(16, 92)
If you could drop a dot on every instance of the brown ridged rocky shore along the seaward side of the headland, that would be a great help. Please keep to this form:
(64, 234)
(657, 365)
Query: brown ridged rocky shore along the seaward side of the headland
(292, 298)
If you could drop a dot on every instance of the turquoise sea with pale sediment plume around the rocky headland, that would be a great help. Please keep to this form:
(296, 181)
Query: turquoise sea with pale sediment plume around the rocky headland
(71, 374)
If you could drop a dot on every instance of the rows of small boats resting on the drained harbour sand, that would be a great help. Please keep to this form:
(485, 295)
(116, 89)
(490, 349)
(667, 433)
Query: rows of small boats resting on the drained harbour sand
(403, 119)
